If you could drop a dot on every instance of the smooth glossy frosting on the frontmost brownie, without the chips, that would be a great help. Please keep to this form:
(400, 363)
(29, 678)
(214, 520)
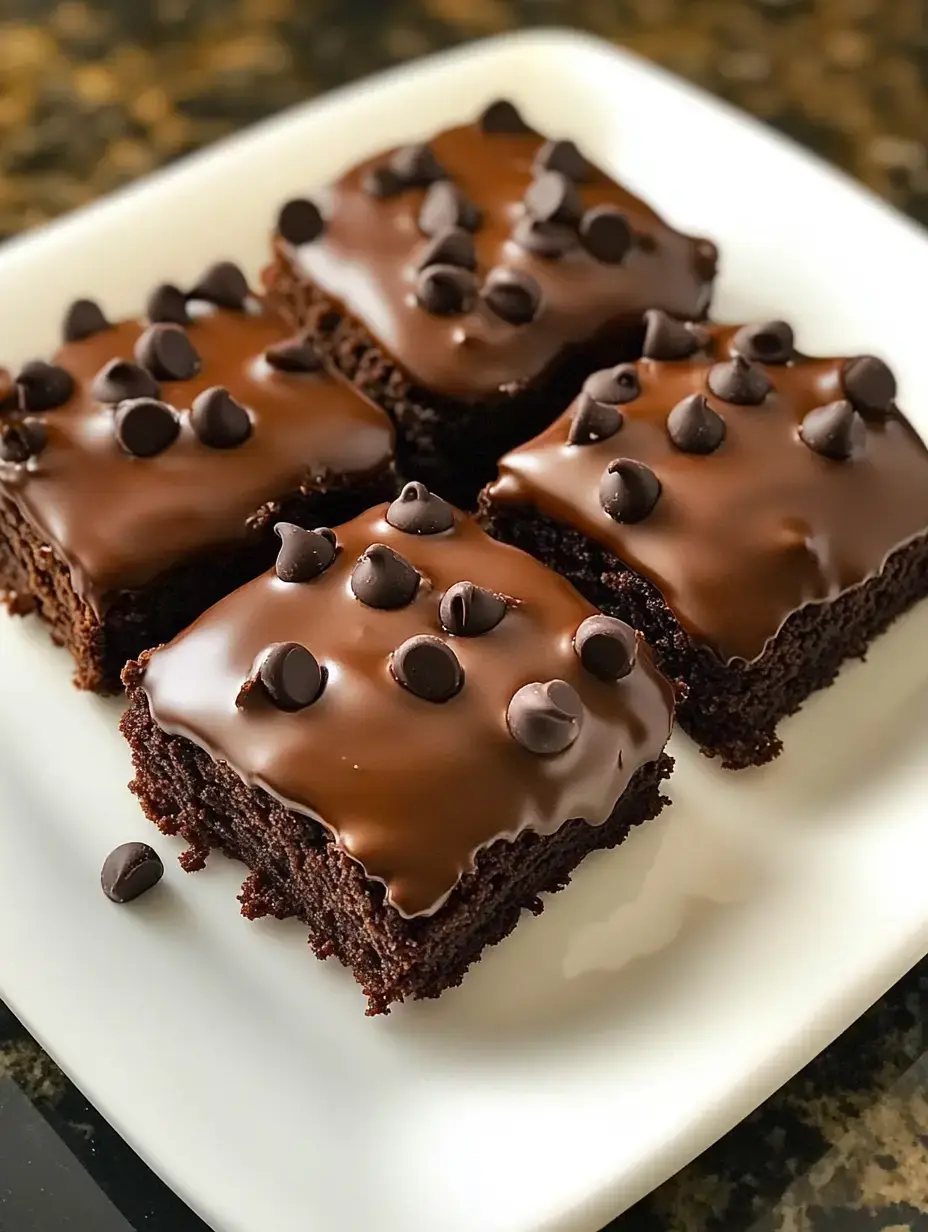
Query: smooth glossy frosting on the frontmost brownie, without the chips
(412, 789)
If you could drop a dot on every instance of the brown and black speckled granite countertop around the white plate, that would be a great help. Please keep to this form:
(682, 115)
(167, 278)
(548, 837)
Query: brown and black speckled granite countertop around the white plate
(94, 95)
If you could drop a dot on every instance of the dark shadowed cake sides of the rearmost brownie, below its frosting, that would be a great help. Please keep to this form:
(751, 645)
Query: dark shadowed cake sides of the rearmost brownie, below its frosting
(453, 447)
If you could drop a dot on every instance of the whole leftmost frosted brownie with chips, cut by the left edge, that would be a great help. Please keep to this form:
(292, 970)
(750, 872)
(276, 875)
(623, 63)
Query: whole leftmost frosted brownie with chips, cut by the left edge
(144, 469)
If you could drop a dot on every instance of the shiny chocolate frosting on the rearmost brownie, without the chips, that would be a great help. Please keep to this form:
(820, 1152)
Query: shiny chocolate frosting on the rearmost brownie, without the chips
(367, 261)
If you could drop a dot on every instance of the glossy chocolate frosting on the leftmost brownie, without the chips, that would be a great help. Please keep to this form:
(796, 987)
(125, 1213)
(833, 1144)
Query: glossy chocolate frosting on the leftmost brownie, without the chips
(119, 521)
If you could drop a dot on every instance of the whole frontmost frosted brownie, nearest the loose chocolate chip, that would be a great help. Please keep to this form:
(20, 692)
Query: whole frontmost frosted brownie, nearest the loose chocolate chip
(407, 732)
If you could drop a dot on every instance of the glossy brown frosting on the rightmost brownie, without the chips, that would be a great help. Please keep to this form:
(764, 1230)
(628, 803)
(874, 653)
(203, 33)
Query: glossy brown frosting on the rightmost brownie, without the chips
(744, 537)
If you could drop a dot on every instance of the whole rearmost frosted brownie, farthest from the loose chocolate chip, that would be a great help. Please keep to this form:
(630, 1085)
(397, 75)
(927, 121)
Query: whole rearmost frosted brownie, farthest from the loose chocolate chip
(469, 285)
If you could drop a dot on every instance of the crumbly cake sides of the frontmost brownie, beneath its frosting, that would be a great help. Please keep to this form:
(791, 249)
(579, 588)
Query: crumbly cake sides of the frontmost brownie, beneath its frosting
(298, 870)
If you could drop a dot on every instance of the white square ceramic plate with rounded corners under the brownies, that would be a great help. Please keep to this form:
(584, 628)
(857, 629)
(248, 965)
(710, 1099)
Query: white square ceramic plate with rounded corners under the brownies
(681, 979)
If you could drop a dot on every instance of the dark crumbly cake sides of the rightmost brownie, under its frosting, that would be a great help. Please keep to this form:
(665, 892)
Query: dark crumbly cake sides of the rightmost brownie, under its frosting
(733, 709)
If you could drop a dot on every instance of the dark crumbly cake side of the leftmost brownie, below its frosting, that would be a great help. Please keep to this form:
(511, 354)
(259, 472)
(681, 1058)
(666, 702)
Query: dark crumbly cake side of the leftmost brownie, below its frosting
(34, 578)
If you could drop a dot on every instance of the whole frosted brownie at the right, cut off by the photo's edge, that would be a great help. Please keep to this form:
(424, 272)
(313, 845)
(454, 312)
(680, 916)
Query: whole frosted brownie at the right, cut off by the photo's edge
(759, 514)
